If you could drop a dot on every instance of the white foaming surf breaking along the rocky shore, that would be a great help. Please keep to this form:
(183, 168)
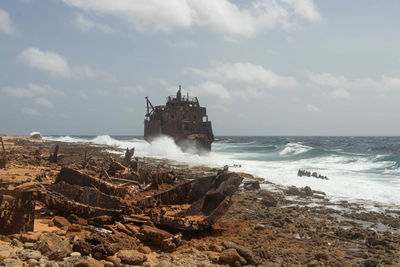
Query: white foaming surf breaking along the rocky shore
(351, 177)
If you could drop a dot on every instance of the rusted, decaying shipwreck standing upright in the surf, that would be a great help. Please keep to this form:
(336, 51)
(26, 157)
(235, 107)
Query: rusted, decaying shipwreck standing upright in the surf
(183, 119)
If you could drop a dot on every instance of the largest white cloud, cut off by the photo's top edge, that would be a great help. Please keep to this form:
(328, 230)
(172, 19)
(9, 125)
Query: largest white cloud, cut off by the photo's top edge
(220, 16)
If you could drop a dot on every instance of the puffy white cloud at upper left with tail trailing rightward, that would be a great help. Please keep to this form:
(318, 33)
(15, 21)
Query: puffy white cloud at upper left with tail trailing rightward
(58, 66)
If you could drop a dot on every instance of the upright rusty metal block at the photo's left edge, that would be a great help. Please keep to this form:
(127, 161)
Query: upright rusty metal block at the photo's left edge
(16, 211)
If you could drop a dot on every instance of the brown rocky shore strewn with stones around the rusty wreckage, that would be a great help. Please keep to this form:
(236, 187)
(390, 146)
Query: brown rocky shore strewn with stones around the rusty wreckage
(267, 226)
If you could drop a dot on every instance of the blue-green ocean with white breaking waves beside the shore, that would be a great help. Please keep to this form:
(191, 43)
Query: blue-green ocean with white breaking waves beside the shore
(359, 169)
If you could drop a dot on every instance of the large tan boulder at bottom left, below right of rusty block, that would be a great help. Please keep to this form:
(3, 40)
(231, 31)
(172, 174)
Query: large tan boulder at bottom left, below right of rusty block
(53, 246)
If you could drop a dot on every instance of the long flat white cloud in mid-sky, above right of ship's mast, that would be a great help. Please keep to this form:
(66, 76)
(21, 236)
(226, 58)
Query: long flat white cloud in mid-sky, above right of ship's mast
(246, 73)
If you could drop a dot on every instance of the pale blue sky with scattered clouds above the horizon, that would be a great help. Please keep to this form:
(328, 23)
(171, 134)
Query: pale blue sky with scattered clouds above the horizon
(261, 67)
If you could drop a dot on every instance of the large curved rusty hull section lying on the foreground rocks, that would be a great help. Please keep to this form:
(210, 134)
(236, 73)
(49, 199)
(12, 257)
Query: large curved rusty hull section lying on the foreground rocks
(192, 205)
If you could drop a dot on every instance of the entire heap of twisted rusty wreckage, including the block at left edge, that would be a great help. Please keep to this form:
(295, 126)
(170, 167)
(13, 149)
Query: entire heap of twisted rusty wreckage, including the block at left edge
(125, 193)
